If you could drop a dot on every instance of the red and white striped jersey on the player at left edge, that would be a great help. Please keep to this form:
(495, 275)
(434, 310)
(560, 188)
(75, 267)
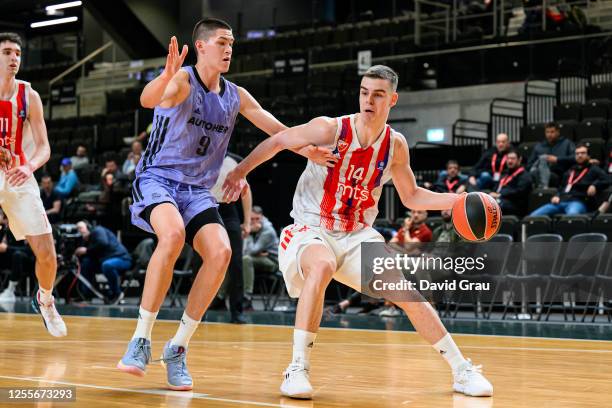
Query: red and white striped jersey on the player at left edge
(13, 122)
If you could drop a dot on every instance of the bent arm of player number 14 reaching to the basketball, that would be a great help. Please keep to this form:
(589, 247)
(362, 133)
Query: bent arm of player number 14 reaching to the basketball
(413, 196)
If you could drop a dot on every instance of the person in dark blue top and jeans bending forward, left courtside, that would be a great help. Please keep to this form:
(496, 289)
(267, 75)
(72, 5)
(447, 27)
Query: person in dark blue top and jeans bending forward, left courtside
(103, 252)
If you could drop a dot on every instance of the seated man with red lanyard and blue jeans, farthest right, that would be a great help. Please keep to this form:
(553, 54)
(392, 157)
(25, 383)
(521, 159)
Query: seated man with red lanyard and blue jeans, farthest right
(579, 187)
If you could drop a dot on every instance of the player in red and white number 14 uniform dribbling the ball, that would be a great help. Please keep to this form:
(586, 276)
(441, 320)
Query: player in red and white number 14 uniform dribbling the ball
(332, 220)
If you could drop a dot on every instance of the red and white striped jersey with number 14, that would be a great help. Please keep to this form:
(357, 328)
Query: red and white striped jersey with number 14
(345, 197)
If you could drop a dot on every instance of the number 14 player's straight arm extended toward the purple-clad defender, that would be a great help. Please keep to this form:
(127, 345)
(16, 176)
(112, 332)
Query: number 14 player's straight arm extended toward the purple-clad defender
(320, 131)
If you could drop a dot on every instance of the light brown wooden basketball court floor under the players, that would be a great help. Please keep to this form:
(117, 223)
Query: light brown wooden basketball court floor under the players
(241, 366)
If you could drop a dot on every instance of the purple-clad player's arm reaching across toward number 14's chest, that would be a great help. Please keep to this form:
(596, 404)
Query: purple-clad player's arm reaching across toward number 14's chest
(264, 120)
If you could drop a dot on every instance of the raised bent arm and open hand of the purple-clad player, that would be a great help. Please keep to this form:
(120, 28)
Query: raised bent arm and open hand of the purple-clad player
(171, 87)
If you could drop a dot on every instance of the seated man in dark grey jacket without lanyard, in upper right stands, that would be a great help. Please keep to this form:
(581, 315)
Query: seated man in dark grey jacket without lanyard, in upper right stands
(551, 158)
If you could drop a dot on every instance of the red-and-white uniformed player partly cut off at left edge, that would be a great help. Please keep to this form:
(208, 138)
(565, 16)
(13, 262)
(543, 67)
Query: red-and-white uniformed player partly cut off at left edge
(22, 120)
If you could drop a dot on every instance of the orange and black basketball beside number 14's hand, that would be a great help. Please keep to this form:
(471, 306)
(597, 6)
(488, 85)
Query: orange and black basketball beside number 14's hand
(476, 216)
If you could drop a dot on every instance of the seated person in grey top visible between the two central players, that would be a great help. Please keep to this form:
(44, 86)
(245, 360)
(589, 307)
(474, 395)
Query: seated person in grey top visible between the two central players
(260, 251)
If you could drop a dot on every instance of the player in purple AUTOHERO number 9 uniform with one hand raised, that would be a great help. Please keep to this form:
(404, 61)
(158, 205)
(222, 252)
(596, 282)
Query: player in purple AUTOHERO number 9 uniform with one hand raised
(195, 113)
